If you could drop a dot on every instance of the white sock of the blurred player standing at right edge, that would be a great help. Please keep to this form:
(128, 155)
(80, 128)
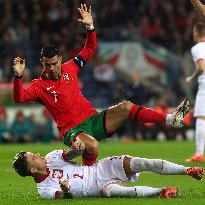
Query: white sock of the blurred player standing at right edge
(200, 136)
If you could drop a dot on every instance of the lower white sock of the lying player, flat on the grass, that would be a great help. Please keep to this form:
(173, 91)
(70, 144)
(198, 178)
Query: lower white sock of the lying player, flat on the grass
(116, 190)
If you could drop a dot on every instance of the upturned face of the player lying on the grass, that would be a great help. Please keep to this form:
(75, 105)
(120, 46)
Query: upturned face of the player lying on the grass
(35, 161)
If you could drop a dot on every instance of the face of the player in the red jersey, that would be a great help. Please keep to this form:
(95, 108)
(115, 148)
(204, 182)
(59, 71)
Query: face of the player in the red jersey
(52, 66)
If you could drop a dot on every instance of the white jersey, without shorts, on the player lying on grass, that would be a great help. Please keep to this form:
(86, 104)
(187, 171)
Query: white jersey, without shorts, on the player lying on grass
(81, 179)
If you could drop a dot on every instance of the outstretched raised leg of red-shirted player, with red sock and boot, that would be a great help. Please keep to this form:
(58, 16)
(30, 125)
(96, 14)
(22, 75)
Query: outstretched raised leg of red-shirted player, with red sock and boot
(117, 114)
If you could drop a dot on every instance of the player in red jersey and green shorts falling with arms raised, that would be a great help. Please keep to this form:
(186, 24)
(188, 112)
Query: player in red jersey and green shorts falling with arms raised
(80, 125)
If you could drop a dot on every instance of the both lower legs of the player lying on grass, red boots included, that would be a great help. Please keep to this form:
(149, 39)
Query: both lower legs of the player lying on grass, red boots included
(133, 165)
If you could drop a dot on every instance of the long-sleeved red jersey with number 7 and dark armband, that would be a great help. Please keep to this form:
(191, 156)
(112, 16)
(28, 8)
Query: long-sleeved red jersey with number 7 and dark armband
(62, 97)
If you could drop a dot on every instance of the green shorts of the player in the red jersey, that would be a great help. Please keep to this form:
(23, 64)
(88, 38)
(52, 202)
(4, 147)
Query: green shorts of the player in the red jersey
(93, 126)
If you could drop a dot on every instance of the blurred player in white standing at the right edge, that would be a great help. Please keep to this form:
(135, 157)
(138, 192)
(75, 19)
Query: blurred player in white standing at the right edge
(198, 54)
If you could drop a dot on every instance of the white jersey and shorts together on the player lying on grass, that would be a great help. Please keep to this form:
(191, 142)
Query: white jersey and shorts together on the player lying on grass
(83, 180)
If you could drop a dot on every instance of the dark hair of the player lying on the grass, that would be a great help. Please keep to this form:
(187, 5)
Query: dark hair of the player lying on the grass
(20, 164)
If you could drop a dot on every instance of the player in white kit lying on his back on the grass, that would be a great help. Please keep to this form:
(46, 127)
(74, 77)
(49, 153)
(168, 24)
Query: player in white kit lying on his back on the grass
(57, 177)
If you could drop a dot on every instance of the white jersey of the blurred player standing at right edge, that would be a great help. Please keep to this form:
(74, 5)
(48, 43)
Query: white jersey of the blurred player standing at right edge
(198, 52)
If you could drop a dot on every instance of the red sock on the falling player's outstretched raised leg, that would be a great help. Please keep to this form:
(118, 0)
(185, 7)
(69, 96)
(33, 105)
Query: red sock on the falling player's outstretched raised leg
(143, 114)
